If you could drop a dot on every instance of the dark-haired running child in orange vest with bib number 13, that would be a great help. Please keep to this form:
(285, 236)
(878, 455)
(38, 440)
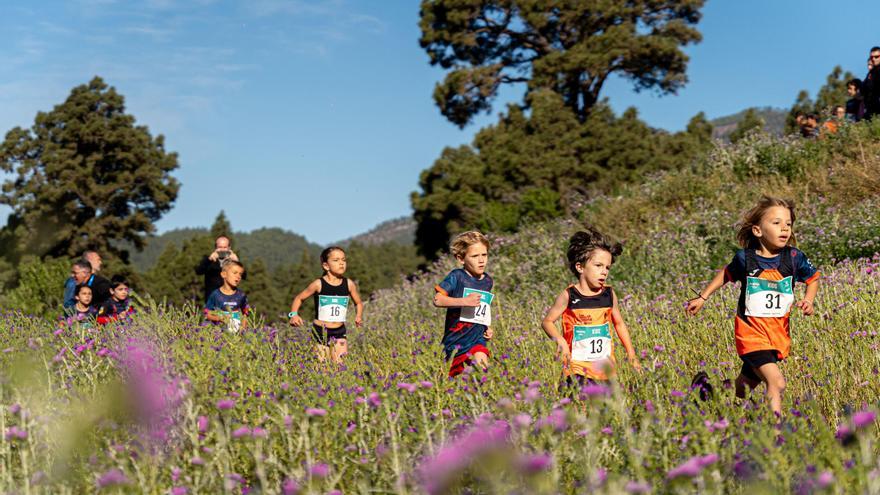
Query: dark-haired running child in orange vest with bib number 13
(589, 310)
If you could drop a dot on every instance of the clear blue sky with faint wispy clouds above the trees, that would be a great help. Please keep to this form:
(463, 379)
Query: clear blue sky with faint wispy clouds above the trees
(316, 115)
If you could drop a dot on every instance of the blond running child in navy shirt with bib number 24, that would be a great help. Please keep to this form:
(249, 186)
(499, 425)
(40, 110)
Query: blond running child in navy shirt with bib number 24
(466, 293)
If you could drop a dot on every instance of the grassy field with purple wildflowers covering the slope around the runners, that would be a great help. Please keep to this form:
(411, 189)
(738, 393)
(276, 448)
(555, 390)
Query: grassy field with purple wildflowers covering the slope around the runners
(166, 404)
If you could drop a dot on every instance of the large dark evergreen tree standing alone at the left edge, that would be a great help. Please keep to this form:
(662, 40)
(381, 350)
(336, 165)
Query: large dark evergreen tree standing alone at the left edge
(85, 176)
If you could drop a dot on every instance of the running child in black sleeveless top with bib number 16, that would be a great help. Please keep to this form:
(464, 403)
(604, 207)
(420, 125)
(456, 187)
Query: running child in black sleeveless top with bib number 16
(331, 293)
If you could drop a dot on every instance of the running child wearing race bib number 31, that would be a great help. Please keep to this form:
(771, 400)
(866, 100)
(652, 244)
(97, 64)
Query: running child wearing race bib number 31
(767, 268)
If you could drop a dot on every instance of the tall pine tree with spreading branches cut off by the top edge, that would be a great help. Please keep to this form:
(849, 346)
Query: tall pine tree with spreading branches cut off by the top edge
(570, 48)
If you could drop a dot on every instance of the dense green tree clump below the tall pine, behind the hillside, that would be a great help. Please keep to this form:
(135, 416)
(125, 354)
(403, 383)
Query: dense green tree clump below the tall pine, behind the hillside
(537, 166)
